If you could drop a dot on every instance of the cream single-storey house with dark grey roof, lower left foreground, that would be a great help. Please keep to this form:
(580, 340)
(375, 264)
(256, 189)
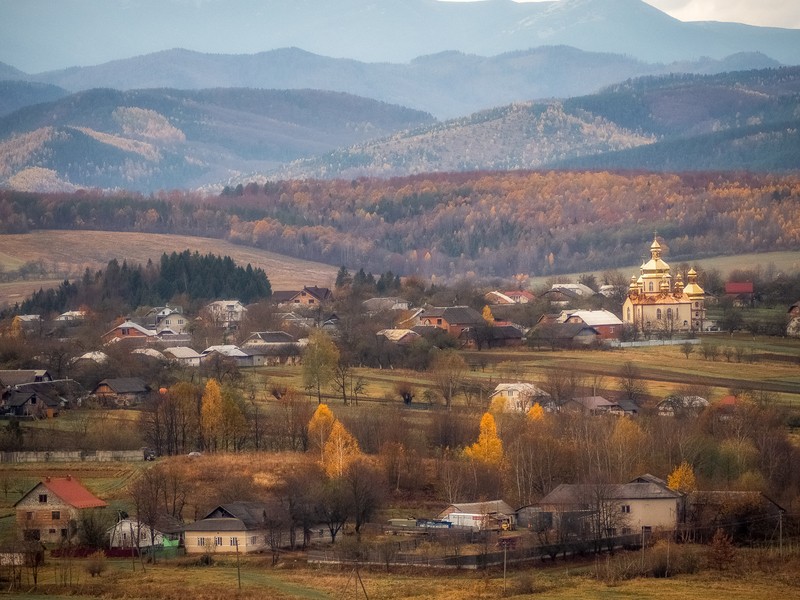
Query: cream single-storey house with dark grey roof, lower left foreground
(238, 526)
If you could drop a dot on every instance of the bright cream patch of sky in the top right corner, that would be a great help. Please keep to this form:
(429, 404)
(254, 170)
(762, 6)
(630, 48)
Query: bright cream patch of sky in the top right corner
(765, 13)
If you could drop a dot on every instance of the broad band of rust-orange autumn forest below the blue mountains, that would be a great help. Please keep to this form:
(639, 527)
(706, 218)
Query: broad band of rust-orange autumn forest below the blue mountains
(449, 225)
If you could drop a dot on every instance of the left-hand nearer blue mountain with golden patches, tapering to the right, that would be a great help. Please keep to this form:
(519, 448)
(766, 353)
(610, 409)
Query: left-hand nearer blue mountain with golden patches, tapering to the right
(169, 139)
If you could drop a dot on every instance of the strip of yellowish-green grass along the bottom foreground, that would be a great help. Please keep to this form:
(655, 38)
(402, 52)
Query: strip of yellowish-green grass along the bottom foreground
(180, 578)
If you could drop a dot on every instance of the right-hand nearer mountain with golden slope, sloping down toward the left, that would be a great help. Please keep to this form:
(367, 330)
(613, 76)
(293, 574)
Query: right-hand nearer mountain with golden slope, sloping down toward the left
(745, 120)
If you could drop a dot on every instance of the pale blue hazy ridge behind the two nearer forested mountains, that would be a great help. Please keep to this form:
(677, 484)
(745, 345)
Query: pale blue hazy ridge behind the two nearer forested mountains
(447, 85)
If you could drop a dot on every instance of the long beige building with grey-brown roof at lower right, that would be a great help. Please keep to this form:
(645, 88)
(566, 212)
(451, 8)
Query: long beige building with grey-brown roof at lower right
(604, 510)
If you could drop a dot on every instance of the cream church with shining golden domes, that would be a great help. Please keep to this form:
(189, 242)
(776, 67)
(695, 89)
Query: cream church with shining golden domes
(658, 304)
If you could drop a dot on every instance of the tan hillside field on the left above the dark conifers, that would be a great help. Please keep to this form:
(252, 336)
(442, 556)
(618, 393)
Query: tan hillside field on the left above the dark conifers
(69, 253)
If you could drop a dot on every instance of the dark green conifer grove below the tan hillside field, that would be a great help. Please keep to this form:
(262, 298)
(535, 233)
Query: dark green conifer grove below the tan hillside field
(189, 275)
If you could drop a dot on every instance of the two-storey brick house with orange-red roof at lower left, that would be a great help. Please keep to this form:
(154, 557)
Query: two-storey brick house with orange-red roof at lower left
(51, 510)
